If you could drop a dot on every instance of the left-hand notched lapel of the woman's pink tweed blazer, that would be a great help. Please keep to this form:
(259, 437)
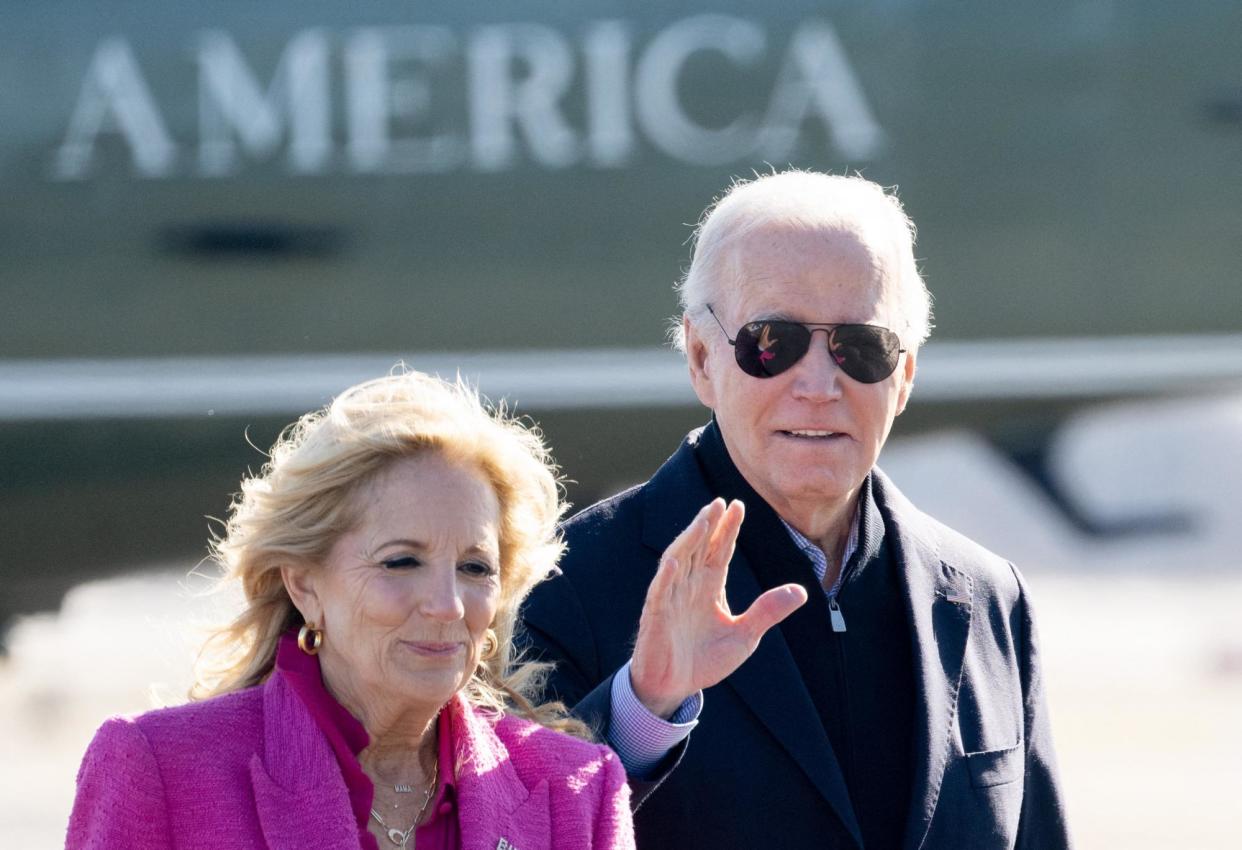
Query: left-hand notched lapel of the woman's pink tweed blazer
(300, 793)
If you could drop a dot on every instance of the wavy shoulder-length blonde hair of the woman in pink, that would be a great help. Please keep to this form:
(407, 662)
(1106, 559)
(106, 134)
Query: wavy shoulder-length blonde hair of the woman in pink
(305, 499)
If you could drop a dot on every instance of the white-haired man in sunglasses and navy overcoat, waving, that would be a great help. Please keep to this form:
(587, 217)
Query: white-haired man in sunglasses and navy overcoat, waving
(902, 706)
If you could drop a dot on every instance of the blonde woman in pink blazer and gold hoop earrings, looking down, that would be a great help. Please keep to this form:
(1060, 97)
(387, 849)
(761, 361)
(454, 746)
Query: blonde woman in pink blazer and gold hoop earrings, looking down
(369, 695)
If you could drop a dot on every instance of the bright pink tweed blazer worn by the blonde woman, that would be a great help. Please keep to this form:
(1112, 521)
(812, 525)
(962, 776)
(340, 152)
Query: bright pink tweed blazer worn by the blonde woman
(253, 770)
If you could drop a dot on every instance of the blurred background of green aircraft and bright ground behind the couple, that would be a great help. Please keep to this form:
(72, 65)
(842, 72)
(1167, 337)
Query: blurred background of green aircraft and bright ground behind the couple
(218, 216)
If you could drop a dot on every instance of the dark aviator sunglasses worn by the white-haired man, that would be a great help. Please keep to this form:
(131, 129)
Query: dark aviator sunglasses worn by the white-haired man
(868, 354)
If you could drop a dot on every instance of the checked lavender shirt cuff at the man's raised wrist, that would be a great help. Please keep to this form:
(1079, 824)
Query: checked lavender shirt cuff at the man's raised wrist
(641, 739)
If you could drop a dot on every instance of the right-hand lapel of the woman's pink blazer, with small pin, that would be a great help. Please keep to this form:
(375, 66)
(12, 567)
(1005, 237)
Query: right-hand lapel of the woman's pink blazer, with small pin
(495, 810)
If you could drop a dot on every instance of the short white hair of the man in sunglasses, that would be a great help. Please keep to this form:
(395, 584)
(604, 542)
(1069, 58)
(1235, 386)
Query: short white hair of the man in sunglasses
(804, 201)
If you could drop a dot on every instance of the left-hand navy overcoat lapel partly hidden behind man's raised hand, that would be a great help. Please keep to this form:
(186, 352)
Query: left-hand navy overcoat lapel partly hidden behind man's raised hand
(769, 683)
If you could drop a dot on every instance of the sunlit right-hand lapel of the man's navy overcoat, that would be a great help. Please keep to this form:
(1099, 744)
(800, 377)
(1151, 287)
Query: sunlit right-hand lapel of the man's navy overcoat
(940, 600)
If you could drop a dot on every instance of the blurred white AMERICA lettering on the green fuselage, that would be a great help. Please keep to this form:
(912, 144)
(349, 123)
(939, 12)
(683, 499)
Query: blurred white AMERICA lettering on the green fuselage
(423, 100)
